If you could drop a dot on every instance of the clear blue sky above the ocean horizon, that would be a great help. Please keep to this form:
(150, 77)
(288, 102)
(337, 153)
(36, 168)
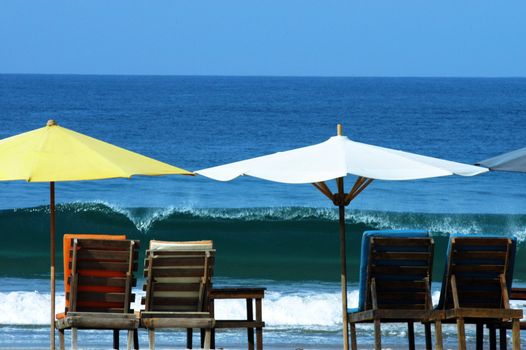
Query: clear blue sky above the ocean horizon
(271, 37)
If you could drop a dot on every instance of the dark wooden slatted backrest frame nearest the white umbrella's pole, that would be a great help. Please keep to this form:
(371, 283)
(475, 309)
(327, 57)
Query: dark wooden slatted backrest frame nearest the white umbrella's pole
(401, 270)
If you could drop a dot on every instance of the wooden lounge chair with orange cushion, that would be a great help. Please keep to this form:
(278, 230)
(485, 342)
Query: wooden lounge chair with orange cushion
(101, 280)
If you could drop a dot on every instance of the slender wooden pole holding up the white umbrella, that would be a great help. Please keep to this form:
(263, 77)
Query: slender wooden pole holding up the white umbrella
(343, 260)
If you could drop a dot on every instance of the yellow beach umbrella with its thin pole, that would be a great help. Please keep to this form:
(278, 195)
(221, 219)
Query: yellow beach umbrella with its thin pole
(54, 153)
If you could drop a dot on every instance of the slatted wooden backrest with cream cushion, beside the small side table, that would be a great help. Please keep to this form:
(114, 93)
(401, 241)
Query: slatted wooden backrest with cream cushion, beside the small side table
(178, 276)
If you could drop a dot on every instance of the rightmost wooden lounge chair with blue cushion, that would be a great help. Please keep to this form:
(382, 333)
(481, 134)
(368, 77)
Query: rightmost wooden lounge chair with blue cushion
(476, 286)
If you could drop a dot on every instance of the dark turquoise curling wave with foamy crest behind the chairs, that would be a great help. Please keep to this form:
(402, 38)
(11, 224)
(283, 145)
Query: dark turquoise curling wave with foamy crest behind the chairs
(277, 243)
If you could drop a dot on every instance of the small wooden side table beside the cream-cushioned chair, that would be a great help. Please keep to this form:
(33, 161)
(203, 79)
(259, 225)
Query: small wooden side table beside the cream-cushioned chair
(249, 294)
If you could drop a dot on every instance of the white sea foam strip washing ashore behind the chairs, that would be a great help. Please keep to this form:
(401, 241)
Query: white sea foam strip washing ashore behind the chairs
(312, 310)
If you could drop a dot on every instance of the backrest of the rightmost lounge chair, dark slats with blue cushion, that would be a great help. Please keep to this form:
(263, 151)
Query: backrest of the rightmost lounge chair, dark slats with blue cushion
(478, 262)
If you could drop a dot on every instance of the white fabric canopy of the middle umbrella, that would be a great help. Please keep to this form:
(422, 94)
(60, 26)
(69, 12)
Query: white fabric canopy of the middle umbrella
(337, 157)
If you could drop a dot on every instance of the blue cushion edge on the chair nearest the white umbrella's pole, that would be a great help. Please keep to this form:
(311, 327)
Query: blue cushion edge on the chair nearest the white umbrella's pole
(364, 288)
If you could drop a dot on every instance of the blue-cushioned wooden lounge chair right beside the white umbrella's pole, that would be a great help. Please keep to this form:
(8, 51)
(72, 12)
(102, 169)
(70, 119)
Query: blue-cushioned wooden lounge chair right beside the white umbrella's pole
(395, 277)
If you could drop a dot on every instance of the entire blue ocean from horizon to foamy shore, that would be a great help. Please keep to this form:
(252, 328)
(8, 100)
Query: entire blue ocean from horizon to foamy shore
(282, 237)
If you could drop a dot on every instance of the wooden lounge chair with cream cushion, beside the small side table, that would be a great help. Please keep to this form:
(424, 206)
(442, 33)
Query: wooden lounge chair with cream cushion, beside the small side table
(178, 280)
